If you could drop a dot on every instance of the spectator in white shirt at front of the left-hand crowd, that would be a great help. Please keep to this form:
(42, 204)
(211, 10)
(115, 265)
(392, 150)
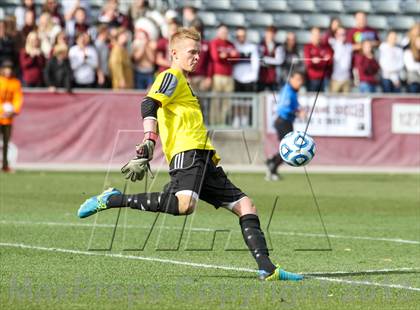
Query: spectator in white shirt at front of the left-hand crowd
(83, 61)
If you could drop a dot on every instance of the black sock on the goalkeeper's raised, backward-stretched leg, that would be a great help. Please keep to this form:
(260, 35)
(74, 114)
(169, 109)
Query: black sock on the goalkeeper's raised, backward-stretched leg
(153, 202)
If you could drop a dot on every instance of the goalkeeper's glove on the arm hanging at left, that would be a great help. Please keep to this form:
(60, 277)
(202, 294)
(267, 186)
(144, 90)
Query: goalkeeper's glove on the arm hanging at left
(136, 168)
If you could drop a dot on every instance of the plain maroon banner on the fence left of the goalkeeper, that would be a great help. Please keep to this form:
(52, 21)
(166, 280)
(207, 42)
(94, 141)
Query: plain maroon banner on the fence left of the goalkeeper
(96, 127)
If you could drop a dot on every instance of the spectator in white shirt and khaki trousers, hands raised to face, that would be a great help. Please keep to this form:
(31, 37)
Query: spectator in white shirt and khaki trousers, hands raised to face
(341, 75)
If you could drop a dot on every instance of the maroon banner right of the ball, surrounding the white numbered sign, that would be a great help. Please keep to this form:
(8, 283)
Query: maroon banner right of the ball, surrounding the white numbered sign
(383, 148)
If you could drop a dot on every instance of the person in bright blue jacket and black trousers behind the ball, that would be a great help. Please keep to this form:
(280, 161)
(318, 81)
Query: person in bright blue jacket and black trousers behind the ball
(287, 110)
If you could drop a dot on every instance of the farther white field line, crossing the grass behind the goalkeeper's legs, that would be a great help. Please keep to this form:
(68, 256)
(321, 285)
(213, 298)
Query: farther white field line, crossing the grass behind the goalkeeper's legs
(284, 233)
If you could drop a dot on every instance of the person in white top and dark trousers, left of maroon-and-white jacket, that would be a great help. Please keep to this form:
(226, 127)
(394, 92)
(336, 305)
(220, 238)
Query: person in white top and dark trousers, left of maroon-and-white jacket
(245, 74)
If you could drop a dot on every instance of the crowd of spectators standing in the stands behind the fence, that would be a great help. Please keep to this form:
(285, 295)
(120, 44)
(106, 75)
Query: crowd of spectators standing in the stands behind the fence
(64, 46)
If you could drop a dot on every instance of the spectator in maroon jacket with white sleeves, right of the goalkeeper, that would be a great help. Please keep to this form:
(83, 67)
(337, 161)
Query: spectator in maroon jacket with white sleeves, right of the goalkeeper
(272, 58)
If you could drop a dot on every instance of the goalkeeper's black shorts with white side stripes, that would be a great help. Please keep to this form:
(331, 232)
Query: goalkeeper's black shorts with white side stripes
(194, 170)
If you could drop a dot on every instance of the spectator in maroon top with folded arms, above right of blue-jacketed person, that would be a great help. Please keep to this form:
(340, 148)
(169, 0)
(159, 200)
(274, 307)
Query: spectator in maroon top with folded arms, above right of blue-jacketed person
(318, 61)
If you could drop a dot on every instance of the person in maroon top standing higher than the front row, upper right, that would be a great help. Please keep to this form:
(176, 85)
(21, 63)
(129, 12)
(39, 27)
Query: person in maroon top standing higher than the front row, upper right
(362, 33)
